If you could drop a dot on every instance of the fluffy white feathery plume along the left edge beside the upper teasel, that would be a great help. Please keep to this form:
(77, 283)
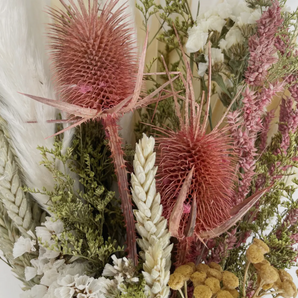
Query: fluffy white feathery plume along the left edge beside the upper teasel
(24, 68)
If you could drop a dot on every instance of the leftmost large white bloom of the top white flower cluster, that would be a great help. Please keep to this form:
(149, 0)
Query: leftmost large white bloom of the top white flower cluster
(197, 39)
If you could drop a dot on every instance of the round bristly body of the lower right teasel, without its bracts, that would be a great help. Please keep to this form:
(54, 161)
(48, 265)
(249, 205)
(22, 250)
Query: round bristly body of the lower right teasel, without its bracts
(213, 160)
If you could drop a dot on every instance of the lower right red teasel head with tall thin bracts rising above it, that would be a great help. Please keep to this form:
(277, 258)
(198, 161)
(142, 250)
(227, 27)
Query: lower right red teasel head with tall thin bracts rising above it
(207, 161)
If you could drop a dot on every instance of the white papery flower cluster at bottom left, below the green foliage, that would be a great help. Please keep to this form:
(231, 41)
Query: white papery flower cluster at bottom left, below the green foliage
(61, 280)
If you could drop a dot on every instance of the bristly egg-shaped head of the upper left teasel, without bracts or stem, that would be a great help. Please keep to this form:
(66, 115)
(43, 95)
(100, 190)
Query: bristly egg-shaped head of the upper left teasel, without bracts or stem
(93, 54)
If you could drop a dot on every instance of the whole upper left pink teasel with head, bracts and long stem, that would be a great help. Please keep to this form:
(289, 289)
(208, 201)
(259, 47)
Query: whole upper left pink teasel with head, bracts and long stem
(99, 77)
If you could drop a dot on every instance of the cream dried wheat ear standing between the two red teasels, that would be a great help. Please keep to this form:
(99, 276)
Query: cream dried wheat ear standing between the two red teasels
(151, 225)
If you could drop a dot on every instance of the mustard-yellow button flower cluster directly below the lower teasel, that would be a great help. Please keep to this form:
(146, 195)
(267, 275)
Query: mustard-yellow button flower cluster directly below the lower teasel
(208, 280)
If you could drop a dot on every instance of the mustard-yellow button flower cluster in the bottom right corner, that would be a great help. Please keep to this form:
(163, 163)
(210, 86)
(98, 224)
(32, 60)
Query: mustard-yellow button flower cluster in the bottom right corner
(269, 277)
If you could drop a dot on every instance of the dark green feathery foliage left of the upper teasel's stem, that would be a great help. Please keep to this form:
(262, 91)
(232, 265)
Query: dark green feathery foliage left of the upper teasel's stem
(90, 212)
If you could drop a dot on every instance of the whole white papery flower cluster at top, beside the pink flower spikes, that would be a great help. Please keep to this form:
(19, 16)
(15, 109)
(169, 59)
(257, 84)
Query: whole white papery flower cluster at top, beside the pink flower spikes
(214, 20)
